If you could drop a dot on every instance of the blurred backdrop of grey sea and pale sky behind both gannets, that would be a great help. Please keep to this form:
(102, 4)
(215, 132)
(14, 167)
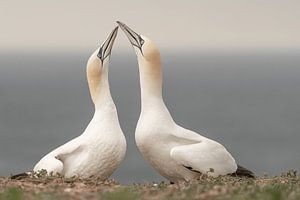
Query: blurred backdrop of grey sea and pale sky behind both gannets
(231, 72)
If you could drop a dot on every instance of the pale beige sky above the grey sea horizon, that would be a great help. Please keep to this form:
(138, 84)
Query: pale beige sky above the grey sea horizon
(184, 24)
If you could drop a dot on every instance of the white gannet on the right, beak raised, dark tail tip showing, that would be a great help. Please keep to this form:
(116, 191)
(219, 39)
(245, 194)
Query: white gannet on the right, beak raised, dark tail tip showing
(175, 152)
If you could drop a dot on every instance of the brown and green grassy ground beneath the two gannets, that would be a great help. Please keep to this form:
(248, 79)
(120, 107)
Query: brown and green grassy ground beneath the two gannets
(286, 186)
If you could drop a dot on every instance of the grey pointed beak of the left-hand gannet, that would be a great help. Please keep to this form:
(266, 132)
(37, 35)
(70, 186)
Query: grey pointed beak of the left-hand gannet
(106, 47)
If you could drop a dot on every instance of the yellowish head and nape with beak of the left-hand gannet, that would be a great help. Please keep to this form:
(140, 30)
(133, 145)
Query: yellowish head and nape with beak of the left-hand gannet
(97, 66)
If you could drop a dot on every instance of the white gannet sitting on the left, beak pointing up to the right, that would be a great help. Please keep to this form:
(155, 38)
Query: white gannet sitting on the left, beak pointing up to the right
(99, 150)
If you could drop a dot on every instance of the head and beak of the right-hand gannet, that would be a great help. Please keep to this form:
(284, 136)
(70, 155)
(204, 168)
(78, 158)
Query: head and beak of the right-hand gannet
(144, 48)
